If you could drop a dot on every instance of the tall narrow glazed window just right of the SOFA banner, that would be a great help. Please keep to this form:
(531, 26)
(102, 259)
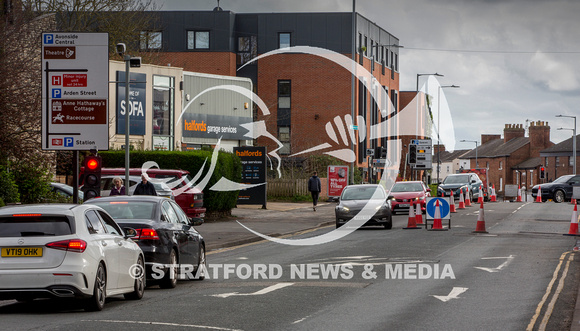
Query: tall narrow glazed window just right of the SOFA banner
(163, 109)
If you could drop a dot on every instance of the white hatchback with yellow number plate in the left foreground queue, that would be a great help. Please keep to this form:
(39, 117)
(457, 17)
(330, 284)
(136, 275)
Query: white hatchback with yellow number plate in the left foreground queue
(67, 251)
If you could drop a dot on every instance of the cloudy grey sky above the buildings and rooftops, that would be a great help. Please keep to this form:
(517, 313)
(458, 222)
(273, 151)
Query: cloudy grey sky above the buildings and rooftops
(514, 60)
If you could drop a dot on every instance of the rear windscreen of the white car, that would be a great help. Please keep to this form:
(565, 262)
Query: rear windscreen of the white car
(35, 226)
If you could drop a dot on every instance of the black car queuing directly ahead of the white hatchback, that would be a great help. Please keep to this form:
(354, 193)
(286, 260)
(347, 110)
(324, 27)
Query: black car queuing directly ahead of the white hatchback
(164, 233)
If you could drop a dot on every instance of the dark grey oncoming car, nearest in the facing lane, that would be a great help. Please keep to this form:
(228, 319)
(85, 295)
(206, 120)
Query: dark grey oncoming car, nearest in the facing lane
(354, 198)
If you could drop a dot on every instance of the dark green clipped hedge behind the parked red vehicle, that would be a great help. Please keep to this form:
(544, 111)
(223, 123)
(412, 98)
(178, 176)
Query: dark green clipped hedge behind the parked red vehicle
(228, 165)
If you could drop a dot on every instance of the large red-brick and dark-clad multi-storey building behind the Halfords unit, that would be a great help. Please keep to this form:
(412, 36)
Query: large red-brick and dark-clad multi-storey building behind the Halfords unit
(304, 93)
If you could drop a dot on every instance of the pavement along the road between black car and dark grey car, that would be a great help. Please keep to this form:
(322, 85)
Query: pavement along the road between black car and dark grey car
(280, 218)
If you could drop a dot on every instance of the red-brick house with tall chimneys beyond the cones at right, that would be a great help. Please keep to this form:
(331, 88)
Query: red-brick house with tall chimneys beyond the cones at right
(513, 159)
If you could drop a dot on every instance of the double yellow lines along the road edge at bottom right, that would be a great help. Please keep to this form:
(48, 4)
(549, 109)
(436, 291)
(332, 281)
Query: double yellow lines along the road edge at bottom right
(550, 308)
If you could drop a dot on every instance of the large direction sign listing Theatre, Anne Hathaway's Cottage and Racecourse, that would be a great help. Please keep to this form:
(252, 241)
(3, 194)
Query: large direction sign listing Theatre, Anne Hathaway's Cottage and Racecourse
(75, 91)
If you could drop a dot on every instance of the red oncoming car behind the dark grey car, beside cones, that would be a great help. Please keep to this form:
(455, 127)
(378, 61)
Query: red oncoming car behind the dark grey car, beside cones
(409, 193)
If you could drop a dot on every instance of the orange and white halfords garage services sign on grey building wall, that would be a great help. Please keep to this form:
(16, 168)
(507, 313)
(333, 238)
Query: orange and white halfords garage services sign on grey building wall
(214, 126)
